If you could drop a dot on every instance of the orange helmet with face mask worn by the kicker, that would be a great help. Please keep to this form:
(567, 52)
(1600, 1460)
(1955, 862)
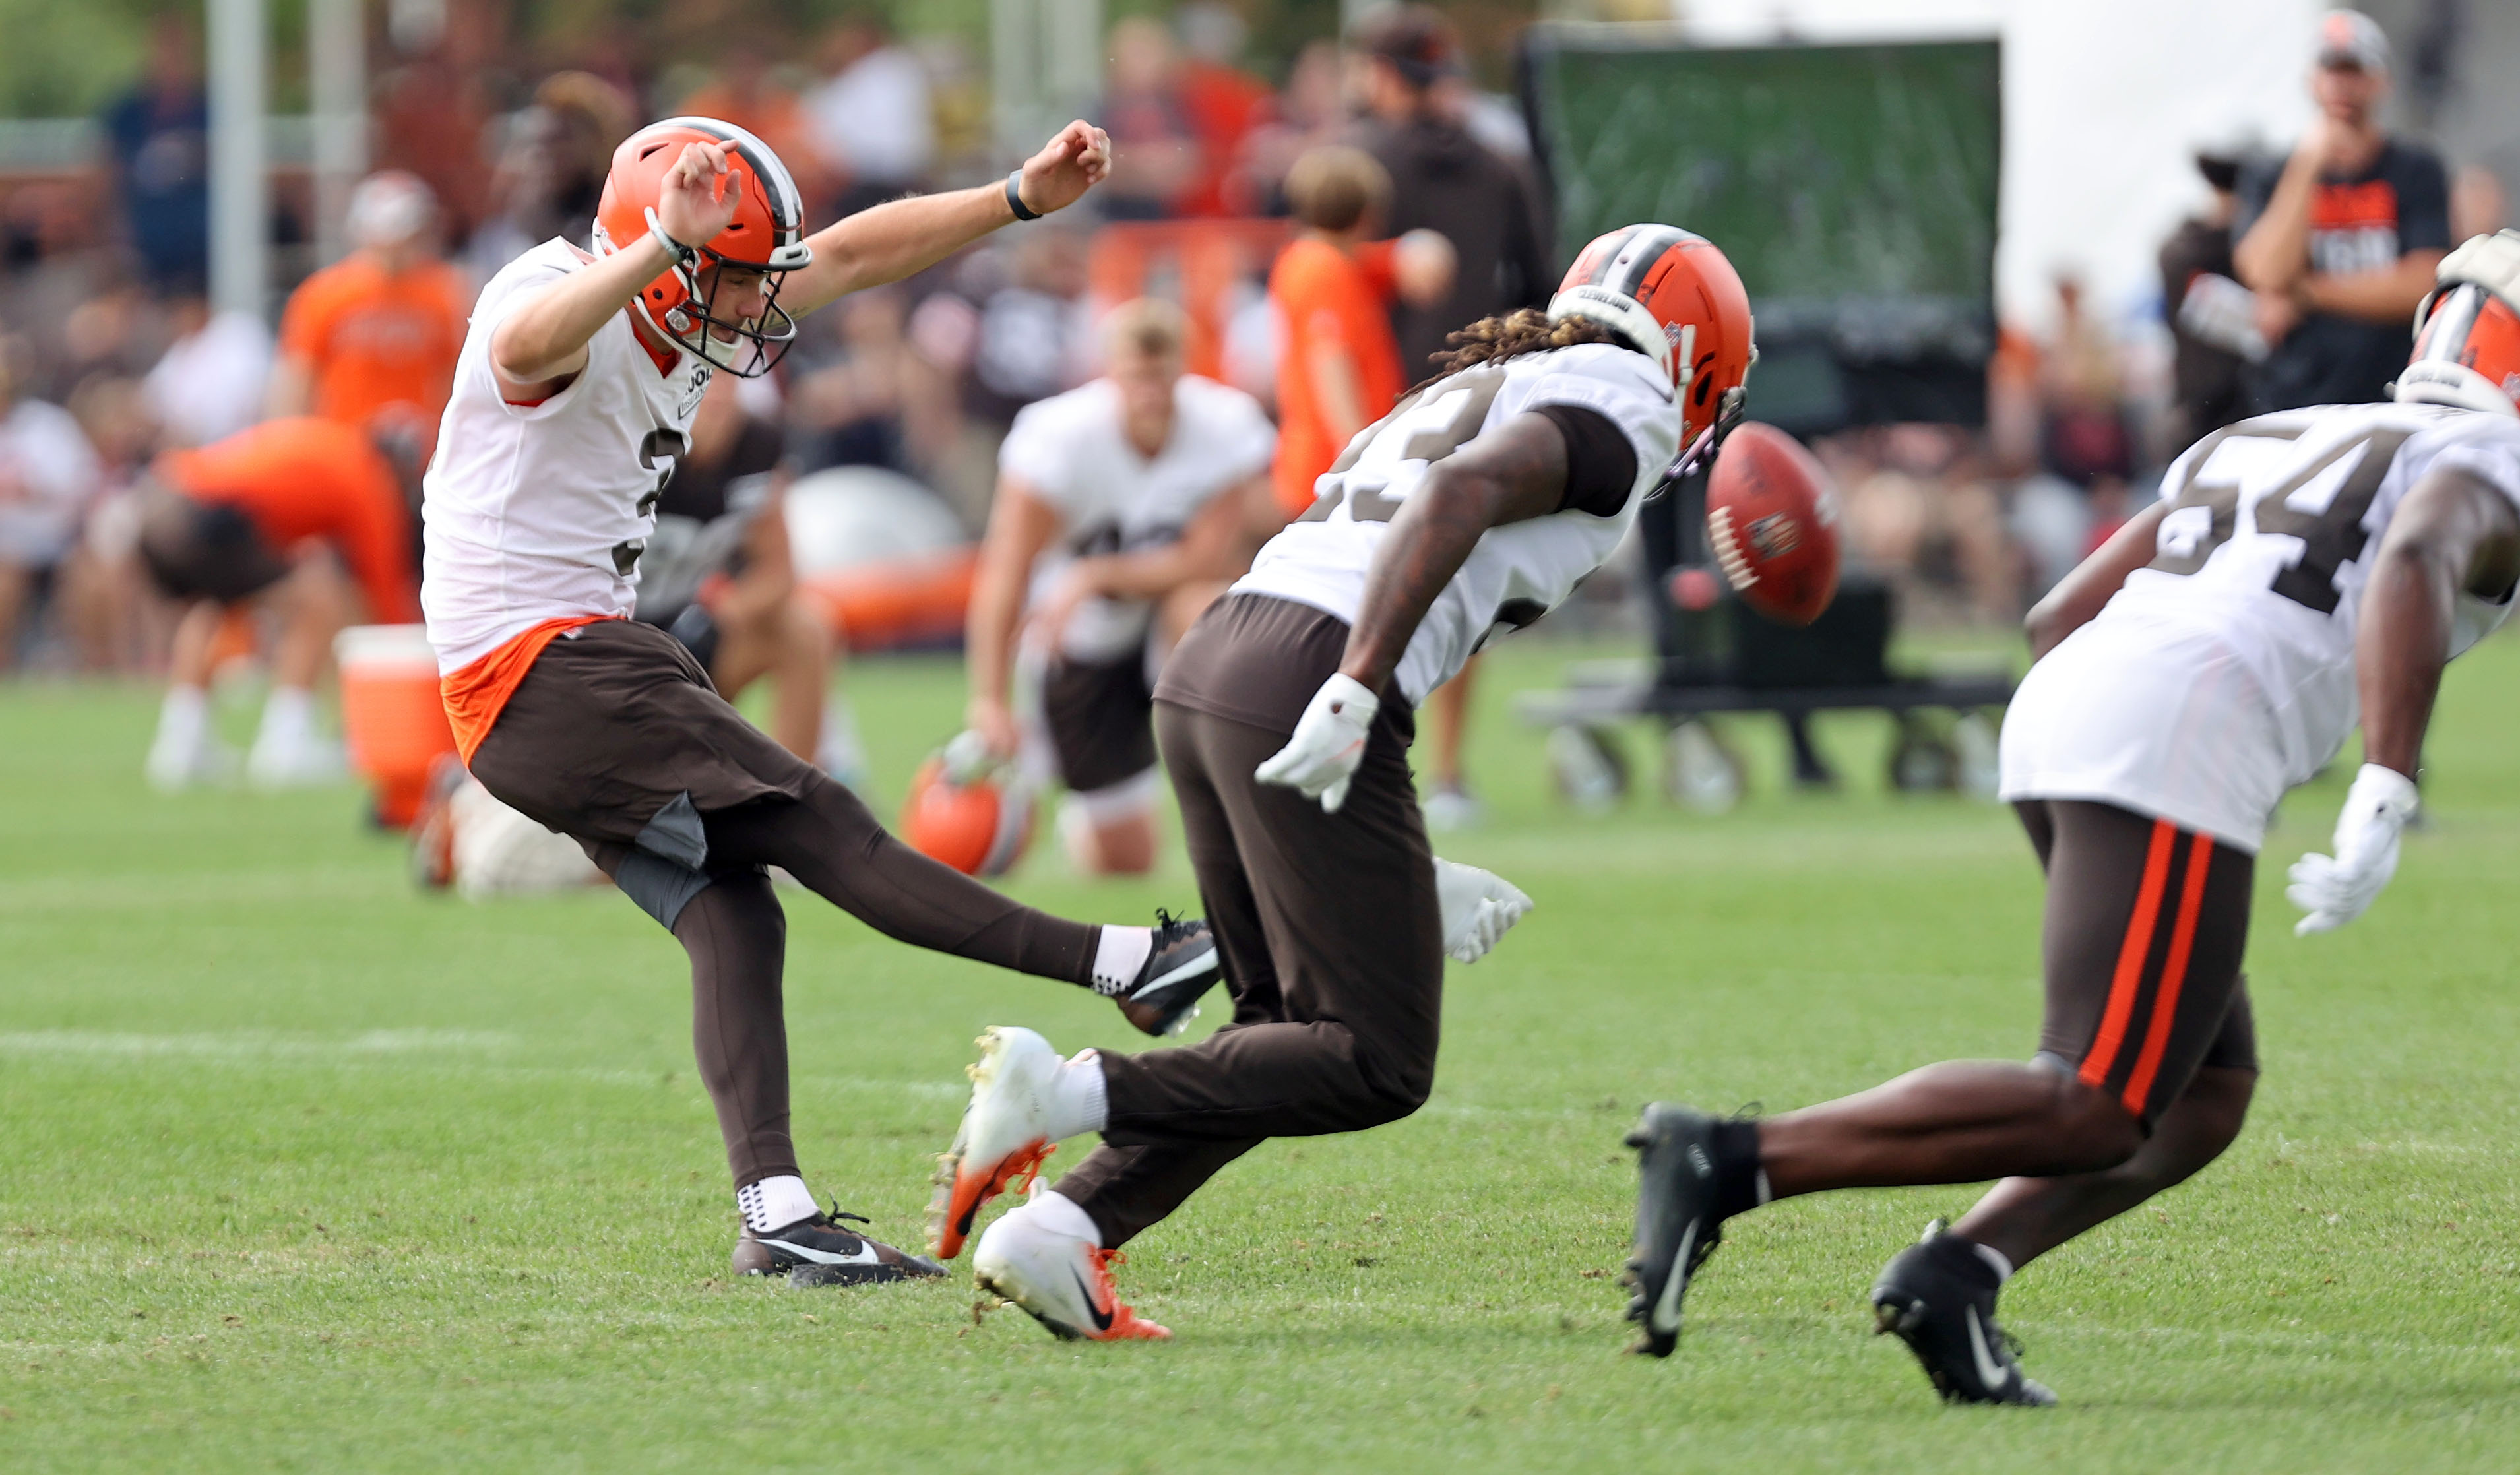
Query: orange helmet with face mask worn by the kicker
(767, 236)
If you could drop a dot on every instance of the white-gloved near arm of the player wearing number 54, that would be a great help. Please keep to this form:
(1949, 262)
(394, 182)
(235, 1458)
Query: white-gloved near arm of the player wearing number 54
(2453, 533)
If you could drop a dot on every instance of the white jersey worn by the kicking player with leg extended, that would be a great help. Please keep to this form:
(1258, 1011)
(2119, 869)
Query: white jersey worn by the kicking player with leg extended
(541, 513)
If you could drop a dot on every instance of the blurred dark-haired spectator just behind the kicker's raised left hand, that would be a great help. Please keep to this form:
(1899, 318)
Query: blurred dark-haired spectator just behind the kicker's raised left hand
(553, 170)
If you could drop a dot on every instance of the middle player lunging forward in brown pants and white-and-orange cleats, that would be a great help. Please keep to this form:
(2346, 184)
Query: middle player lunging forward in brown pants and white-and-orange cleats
(1286, 715)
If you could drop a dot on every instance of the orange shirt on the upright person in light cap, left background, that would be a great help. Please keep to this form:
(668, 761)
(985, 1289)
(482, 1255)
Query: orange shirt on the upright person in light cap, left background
(377, 342)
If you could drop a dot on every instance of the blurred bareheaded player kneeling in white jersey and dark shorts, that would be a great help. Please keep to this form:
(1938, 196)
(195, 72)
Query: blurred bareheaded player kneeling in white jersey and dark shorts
(1123, 511)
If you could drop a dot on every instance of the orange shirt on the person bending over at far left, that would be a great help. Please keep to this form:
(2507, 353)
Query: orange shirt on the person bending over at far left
(311, 478)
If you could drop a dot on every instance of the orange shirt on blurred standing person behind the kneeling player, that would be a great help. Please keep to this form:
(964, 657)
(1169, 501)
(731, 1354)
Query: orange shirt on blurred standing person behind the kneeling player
(1329, 299)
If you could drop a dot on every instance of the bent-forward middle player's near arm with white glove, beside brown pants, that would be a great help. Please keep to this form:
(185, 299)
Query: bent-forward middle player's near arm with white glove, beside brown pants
(1508, 475)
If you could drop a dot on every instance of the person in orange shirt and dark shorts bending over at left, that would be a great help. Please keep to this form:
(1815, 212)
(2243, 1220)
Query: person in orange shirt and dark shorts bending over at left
(271, 516)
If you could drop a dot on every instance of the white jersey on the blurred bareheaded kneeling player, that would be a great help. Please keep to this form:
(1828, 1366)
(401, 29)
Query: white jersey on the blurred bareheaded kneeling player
(1075, 453)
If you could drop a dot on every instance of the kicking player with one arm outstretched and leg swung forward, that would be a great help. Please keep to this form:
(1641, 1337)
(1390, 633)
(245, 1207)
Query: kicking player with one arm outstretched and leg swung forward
(573, 397)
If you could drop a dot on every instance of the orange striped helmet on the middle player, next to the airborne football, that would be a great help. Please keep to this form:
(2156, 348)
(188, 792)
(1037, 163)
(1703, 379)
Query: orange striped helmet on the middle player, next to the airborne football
(1680, 304)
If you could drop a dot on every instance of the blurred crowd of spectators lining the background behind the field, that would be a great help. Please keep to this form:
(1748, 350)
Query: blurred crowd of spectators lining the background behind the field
(112, 354)
